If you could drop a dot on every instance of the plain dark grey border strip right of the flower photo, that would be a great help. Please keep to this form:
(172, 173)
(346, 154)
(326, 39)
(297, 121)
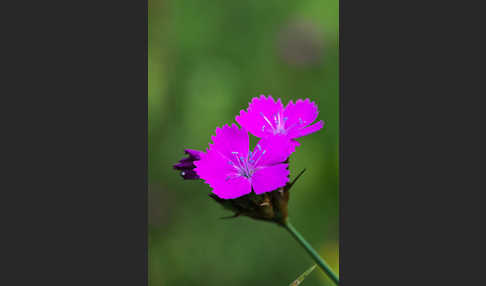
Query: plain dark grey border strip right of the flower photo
(407, 112)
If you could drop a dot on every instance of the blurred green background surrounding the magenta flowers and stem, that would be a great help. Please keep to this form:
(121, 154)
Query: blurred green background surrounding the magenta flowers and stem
(207, 59)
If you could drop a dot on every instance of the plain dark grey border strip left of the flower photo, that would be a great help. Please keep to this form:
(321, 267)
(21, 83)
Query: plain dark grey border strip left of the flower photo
(76, 154)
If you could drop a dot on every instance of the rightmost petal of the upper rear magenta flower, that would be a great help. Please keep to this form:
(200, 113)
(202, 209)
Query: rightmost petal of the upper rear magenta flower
(299, 114)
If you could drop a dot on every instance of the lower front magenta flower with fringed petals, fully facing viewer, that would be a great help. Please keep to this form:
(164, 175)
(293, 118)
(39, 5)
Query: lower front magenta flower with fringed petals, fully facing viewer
(233, 171)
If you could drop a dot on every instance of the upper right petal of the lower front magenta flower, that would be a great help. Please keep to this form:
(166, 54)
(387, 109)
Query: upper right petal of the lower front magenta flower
(273, 150)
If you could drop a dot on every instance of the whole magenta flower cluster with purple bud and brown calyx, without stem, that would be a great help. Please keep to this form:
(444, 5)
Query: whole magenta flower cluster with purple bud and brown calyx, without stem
(254, 182)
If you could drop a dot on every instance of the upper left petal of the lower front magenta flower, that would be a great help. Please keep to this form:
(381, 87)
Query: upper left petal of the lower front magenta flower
(229, 140)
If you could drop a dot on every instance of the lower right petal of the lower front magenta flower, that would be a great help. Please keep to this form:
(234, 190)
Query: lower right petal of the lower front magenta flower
(270, 178)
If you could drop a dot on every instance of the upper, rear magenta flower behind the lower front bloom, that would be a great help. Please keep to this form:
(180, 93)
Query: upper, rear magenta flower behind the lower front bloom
(266, 117)
